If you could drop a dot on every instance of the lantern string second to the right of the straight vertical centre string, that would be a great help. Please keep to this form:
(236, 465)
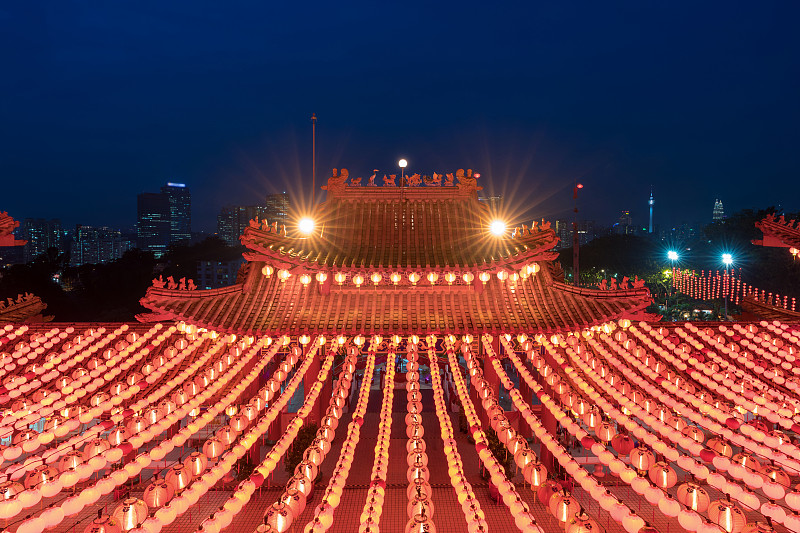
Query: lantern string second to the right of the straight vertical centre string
(523, 518)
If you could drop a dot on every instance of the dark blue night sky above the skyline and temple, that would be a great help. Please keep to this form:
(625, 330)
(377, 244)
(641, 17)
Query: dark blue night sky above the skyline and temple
(102, 100)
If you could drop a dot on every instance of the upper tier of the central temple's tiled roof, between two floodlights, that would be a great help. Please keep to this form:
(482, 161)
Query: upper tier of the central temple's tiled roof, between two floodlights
(405, 228)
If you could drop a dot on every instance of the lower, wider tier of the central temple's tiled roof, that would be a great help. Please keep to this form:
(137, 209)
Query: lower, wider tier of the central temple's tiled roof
(267, 305)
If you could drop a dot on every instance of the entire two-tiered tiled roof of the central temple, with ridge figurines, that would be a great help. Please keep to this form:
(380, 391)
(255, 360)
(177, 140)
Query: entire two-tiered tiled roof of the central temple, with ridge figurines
(395, 260)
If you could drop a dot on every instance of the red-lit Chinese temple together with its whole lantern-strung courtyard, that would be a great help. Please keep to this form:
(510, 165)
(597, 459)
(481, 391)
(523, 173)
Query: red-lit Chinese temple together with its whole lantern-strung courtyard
(399, 361)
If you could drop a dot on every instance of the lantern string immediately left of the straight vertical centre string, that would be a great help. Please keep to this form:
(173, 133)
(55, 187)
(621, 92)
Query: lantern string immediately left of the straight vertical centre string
(369, 521)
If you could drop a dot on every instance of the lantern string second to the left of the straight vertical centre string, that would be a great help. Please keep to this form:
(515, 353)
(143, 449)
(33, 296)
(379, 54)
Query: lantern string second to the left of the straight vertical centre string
(323, 513)
